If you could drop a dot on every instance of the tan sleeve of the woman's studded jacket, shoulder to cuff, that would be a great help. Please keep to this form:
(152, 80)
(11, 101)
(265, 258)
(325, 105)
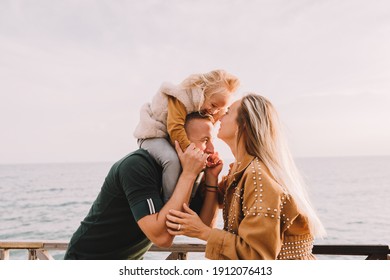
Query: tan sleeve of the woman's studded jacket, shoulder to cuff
(251, 220)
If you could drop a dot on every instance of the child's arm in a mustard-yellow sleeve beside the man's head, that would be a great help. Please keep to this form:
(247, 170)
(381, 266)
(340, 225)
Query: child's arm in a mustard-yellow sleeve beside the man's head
(175, 122)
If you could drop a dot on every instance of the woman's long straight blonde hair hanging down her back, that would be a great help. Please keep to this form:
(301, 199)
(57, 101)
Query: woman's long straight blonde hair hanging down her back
(260, 129)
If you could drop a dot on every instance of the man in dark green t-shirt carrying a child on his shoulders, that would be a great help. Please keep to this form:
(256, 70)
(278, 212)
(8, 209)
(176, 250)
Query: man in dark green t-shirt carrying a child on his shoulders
(128, 215)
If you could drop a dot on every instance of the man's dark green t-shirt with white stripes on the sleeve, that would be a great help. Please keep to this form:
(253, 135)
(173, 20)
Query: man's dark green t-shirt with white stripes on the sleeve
(131, 190)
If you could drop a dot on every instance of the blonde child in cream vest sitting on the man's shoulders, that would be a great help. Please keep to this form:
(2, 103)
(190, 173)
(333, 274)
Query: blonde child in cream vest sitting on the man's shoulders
(163, 119)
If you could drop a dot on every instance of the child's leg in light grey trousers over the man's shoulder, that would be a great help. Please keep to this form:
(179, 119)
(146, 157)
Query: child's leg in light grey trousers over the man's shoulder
(165, 155)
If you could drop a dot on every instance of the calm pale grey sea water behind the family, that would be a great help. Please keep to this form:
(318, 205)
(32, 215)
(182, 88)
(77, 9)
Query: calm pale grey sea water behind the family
(48, 201)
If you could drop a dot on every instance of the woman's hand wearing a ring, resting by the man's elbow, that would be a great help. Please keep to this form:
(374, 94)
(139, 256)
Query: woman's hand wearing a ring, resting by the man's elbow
(187, 223)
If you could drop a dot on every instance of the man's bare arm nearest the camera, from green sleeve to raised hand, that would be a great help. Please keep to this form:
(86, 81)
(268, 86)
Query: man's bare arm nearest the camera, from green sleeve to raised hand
(154, 226)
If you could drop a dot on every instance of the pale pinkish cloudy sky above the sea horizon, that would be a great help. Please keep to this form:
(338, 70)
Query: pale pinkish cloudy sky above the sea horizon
(74, 74)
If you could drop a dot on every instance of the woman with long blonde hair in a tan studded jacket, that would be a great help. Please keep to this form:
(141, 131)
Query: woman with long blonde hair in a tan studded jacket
(266, 211)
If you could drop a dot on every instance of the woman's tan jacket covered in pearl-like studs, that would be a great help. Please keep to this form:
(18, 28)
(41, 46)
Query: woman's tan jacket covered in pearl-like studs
(260, 220)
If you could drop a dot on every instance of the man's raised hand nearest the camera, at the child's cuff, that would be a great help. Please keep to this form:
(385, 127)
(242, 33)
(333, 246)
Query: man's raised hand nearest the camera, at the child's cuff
(193, 160)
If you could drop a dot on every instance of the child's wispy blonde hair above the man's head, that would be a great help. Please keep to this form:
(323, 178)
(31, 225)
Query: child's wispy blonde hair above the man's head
(216, 81)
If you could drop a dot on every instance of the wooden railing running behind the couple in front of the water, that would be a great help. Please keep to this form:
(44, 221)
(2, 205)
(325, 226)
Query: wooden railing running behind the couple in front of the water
(39, 250)
